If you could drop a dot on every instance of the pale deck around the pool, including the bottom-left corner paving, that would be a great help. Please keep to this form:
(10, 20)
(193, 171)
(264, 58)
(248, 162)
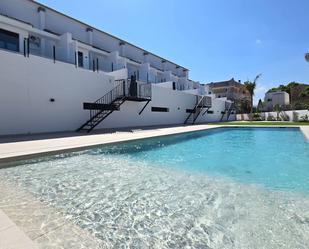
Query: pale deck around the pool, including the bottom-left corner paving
(23, 147)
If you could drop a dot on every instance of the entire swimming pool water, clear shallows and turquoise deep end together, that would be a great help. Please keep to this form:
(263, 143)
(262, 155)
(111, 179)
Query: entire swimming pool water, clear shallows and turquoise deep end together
(224, 188)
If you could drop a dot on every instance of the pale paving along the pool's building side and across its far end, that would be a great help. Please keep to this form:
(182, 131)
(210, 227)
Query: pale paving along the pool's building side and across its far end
(32, 148)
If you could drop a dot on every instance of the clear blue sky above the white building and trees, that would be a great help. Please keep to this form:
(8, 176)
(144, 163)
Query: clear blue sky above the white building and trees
(215, 39)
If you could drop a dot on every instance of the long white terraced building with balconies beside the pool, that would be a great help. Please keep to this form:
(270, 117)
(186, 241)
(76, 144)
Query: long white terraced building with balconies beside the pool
(53, 68)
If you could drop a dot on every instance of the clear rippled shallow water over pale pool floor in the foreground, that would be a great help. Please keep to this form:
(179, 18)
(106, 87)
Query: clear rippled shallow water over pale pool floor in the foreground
(136, 205)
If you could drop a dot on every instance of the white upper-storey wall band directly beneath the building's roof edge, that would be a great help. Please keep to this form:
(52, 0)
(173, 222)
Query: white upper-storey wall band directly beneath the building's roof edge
(28, 11)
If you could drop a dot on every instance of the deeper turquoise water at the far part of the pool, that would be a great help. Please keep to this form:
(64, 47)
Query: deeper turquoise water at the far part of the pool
(274, 157)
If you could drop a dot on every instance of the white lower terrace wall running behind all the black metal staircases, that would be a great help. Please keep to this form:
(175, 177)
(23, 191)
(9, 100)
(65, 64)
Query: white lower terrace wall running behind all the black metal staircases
(28, 84)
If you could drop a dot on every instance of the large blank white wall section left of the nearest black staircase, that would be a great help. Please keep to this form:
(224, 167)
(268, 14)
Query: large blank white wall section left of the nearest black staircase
(28, 84)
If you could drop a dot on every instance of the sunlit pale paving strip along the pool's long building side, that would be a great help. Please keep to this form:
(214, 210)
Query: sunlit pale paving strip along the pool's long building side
(87, 142)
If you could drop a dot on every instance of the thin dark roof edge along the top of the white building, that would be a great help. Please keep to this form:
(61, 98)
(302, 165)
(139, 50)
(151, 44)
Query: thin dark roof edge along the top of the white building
(120, 40)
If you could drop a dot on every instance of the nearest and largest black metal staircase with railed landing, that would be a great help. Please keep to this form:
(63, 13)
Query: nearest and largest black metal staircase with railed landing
(126, 90)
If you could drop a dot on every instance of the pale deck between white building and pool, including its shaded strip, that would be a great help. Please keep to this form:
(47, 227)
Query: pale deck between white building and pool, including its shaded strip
(23, 147)
